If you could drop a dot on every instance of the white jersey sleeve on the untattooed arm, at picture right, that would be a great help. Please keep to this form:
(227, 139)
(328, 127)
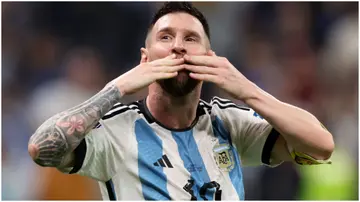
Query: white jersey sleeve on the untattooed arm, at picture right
(252, 135)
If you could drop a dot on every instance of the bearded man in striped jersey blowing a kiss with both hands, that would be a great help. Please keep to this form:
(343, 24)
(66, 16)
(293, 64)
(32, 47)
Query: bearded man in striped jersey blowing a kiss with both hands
(172, 145)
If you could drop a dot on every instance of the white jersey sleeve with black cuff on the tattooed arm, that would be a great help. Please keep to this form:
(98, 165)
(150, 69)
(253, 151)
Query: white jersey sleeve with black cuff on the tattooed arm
(101, 153)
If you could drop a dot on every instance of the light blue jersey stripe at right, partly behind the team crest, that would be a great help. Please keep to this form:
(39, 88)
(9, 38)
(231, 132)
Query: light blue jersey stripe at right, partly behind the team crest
(235, 174)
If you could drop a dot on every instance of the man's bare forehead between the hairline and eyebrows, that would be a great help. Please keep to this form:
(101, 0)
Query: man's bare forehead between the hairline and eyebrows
(179, 21)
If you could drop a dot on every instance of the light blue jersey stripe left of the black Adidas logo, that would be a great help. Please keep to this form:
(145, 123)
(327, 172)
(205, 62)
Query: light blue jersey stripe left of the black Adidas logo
(153, 179)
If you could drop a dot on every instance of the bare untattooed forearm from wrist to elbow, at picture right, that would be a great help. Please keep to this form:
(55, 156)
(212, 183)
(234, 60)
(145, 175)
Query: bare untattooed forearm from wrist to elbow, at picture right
(301, 130)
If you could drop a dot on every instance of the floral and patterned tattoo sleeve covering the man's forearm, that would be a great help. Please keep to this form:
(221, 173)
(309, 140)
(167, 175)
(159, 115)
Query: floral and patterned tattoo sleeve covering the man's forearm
(62, 133)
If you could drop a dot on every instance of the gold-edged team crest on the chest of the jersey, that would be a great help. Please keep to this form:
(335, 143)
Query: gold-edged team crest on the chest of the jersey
(224, 157)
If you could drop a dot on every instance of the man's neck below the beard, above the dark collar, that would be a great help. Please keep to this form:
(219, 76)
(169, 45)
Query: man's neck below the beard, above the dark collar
(173, 112)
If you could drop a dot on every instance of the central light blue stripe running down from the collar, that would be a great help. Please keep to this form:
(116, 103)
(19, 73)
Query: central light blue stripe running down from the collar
(193, 161)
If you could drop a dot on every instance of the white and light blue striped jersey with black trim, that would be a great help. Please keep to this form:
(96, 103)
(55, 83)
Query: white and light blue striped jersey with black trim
(135, 157)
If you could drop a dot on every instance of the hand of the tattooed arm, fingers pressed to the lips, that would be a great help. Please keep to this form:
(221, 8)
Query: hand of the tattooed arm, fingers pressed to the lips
(147, 72)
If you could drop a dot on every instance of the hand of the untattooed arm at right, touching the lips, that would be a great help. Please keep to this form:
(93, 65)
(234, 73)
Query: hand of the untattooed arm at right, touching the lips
(220, 71)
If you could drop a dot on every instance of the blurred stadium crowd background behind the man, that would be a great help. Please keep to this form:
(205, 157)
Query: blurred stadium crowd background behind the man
(57, 55)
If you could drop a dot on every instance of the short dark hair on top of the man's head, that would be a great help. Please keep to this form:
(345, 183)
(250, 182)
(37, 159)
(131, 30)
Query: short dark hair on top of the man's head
(185, 7)
